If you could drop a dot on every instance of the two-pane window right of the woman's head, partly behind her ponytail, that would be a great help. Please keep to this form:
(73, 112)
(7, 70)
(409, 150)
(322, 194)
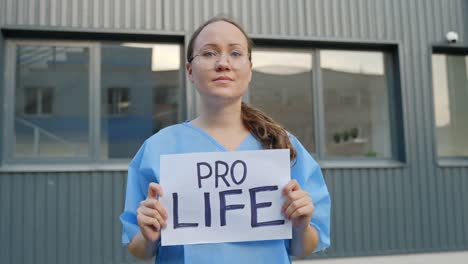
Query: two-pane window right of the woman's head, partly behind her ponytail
(337, 102)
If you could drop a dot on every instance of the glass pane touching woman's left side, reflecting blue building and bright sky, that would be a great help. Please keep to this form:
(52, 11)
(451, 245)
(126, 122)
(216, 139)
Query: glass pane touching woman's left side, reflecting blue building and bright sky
(150, 100)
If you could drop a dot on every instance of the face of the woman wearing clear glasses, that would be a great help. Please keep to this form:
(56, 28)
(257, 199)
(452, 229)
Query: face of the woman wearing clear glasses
(223, 77)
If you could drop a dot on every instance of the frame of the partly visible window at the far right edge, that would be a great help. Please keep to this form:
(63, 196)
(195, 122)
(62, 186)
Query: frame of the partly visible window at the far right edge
(443, 161)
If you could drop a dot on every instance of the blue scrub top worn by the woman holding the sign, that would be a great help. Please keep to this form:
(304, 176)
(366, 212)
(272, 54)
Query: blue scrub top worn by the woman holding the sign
(187, 138)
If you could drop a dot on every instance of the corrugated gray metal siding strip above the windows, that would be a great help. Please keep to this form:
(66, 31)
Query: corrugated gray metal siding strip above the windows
(356, 19)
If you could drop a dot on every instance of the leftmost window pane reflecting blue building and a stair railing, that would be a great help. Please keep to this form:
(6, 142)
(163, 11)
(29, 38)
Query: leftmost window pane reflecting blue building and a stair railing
(38, 133)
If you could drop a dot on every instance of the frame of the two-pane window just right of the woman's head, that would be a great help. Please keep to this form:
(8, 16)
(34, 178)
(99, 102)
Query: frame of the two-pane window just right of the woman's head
(391, 53)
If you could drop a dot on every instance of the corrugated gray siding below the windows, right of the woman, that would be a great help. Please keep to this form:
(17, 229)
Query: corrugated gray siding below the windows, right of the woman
(384, 212)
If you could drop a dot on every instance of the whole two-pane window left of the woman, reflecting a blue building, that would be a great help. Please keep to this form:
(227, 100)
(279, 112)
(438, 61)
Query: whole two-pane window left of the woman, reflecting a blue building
(88, 101)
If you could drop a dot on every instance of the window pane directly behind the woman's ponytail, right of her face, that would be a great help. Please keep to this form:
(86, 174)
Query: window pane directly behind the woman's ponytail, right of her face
(282, 87)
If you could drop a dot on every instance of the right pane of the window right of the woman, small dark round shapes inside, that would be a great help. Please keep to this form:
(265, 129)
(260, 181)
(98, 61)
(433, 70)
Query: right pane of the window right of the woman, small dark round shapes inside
(356, 104)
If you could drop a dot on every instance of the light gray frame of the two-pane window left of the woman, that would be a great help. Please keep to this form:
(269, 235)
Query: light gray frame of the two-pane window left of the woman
(93, 159)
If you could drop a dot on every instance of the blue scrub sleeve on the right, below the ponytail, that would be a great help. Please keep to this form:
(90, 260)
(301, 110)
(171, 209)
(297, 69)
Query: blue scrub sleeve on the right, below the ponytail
(309, 175)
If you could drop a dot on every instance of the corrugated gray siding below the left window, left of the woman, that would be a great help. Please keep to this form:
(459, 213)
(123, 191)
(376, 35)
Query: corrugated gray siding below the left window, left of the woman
(62, 217)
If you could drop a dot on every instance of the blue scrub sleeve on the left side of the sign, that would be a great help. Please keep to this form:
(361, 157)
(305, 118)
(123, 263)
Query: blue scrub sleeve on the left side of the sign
(138, 179)
